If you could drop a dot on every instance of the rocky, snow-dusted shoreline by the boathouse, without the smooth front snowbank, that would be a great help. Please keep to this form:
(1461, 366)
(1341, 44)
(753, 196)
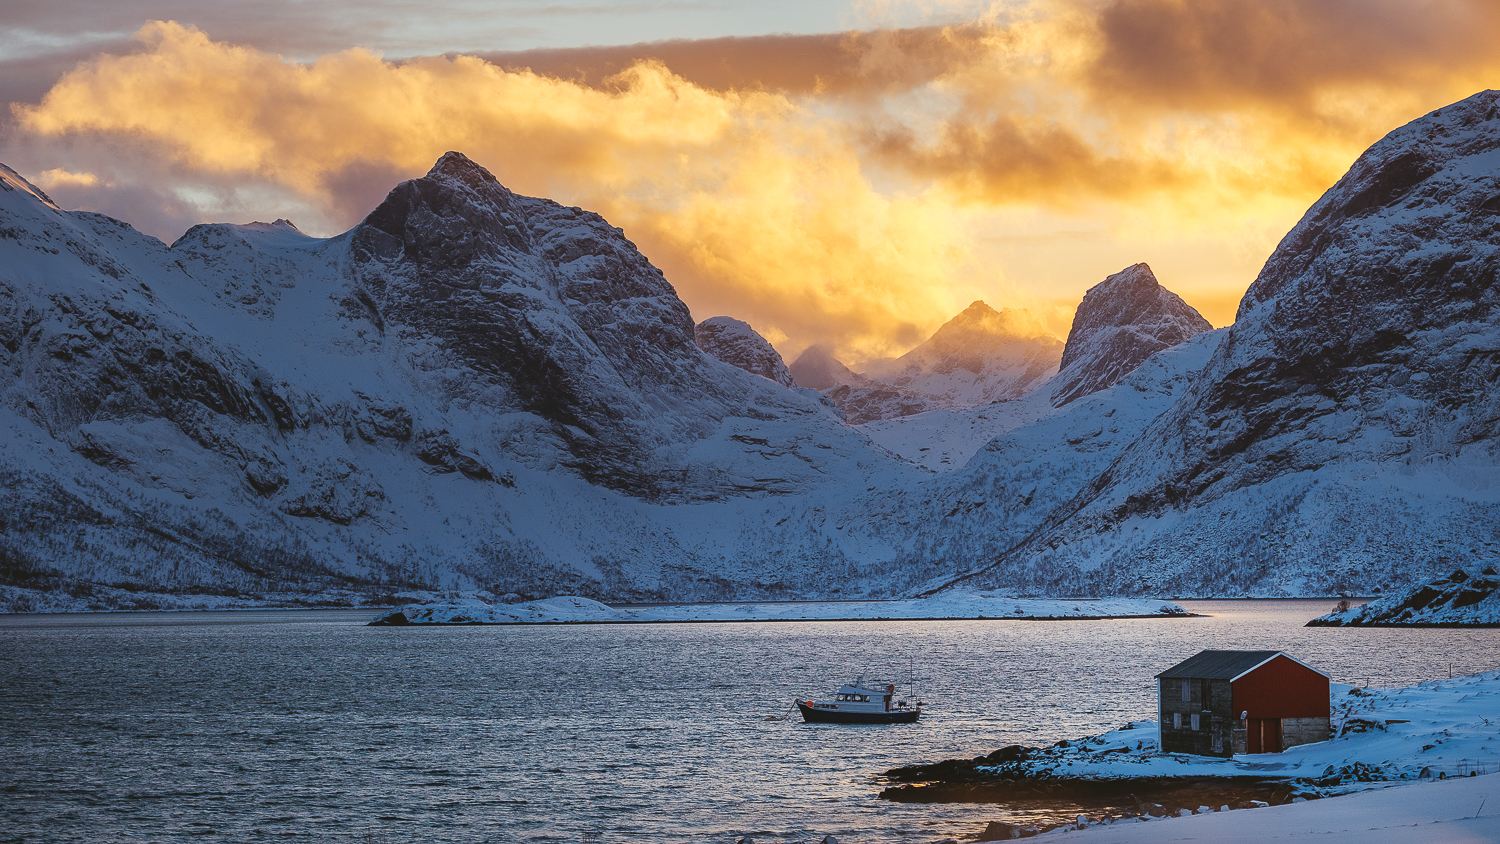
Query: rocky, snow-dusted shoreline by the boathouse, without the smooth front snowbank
(1424, 732)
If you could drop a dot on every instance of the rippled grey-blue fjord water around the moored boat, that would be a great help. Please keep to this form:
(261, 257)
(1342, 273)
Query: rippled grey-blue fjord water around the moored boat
(310, 726)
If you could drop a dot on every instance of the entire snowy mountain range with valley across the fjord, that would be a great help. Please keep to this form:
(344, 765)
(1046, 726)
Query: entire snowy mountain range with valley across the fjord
(487, 394)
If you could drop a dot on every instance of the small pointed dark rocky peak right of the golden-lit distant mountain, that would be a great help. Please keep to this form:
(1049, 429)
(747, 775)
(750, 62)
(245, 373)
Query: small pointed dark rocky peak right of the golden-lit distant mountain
(1123, 322)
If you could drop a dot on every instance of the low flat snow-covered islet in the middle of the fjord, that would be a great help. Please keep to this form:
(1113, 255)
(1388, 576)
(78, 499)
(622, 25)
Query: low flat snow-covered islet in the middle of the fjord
(571, 609)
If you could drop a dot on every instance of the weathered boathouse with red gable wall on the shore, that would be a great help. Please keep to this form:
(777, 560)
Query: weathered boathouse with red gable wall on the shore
(1228, 702)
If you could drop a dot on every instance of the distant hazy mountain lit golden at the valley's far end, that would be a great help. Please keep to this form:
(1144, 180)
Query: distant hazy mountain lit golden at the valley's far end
(979, 358)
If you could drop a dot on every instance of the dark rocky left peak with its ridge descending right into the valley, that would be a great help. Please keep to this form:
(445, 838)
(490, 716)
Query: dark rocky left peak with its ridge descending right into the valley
(550, 311)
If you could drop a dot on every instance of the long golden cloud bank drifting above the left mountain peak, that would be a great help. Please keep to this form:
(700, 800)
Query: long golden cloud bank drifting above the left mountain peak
(754, 205)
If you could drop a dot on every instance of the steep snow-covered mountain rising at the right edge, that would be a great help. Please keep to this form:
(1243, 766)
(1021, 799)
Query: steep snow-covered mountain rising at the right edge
(1345, 435)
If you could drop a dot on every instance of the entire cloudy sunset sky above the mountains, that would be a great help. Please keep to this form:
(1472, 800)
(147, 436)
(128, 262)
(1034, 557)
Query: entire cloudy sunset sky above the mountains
(850, 173)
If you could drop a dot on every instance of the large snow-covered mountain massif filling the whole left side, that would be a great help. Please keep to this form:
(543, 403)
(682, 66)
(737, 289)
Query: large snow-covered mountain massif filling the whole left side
(472, 389)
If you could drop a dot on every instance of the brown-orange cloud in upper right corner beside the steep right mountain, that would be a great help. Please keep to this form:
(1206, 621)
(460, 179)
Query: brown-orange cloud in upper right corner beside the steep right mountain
(1201, 103)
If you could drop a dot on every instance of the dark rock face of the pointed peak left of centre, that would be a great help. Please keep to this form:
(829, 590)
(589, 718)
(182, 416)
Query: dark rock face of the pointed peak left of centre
(550, 307)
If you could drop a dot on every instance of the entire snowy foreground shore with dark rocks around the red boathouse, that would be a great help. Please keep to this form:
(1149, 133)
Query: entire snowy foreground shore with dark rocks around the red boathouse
(1424, 737)
